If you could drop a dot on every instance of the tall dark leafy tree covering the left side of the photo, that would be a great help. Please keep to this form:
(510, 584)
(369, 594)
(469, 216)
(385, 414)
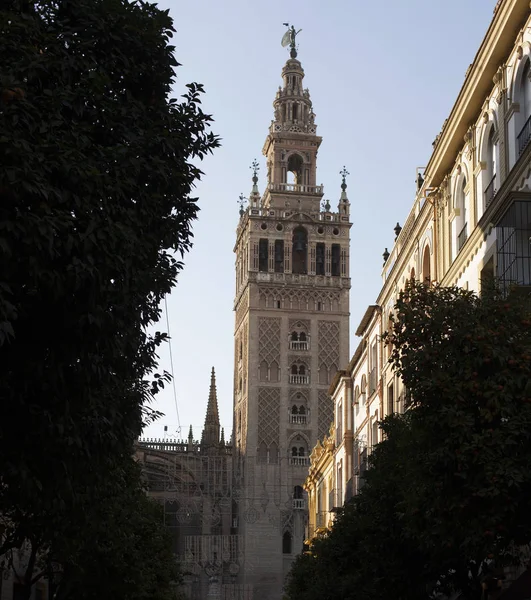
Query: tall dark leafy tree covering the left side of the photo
(98, 164)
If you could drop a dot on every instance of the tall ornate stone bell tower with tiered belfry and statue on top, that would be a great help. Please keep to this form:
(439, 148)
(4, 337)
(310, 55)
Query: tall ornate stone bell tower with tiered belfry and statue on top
(291, 335)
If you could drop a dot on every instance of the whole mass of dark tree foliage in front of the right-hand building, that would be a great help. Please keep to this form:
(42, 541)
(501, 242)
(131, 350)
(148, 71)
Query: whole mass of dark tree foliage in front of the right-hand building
(446, 499)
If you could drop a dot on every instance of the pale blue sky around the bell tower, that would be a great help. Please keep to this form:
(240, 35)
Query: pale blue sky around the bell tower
(383, 76)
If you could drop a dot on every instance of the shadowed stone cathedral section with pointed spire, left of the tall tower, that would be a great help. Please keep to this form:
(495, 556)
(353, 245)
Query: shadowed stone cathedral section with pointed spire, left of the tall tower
(192, 480)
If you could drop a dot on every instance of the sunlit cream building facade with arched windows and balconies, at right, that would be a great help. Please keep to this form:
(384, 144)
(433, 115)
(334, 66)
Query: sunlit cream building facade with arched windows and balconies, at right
(470, 222)
